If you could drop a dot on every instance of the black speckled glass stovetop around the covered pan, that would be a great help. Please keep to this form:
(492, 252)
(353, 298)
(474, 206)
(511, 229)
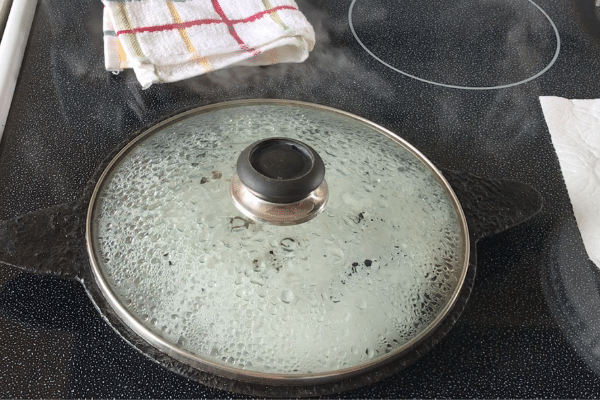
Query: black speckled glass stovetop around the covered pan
(460, 80)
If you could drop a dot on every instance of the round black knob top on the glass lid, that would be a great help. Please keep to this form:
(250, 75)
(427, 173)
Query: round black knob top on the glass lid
(280, 170)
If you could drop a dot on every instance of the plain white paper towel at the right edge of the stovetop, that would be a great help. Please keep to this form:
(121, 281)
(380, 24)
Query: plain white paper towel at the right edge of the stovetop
(574, 126)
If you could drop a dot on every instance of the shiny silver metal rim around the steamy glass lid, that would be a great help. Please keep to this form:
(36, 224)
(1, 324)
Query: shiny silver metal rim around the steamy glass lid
(230, 372)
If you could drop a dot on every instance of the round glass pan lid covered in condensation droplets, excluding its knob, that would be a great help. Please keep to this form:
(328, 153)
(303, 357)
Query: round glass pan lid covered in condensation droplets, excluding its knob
(366, 279)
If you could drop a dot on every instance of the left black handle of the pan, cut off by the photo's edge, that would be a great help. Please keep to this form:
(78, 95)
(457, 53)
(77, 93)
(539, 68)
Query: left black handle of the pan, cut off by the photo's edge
(47, 241)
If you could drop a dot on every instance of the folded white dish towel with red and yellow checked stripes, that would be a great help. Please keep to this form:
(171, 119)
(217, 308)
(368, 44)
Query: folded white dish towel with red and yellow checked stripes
(170, 40)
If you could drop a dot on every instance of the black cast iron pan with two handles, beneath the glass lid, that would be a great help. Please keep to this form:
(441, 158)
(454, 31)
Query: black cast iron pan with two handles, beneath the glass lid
(52, 241)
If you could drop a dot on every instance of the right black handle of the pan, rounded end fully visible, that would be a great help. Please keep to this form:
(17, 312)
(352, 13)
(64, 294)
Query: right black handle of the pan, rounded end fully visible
(493, 205)
